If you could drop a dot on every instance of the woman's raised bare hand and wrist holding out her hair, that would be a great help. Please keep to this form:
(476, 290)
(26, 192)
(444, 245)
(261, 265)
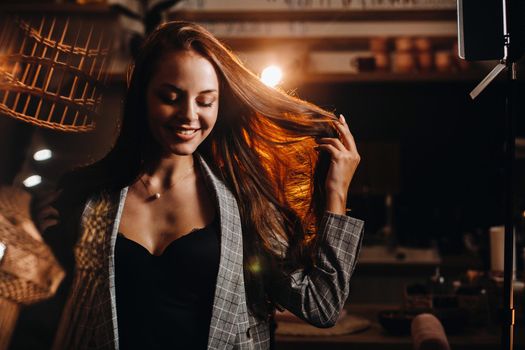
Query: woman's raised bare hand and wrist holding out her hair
(344, 162)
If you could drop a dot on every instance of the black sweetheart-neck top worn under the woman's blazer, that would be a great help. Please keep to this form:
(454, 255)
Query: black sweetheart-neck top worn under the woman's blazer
(165, 301)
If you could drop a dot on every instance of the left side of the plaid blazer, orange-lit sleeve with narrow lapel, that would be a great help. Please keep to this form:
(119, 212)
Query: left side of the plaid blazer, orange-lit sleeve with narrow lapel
(89, 316)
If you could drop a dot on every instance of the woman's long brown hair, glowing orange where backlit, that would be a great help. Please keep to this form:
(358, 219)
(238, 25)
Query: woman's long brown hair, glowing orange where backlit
(262, 147)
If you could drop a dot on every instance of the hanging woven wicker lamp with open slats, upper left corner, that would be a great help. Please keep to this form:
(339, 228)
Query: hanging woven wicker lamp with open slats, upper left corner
(53, 69)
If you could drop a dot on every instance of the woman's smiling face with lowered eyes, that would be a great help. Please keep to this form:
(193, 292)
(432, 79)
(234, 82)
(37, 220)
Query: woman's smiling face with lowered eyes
(183, 101)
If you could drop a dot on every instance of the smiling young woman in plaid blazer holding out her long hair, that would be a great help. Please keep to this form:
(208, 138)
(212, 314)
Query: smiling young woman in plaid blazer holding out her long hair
(221, 200)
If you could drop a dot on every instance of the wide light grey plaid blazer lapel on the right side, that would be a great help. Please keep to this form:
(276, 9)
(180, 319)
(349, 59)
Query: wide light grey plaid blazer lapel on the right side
(229, 292)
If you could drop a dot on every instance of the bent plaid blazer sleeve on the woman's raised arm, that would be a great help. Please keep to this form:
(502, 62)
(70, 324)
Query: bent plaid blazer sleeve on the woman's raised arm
(317, 295)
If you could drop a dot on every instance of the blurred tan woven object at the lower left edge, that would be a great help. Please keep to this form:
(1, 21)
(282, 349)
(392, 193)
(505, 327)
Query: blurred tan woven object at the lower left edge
(28, 270)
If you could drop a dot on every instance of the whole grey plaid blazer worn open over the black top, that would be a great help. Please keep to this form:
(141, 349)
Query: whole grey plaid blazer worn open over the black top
(89, 320)
